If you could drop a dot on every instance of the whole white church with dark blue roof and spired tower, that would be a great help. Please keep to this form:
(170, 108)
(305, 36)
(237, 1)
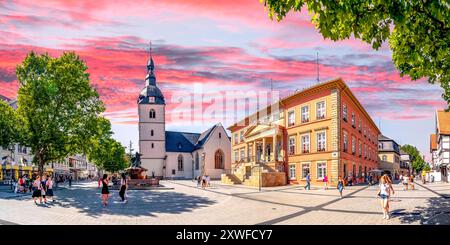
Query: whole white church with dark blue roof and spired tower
(177, 155)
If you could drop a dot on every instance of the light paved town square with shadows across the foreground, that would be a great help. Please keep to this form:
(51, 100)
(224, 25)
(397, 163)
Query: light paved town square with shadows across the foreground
(181, 202)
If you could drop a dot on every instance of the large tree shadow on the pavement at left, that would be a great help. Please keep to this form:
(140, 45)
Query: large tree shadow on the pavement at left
(140, 202)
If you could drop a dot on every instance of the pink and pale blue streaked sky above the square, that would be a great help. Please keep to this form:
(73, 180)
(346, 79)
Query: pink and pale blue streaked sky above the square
(218, 45)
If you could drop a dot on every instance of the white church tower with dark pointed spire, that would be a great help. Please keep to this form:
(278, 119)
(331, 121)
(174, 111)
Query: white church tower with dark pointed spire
(151, 110)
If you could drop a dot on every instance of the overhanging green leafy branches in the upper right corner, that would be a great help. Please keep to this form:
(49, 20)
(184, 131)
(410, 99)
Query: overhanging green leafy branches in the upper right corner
(418, 31)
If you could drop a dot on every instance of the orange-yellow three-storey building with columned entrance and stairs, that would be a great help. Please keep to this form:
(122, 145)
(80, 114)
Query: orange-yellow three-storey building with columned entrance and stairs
(322, 130)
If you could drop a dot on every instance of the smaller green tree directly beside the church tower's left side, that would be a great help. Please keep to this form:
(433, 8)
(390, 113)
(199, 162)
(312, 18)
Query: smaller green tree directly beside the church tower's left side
(104, 151)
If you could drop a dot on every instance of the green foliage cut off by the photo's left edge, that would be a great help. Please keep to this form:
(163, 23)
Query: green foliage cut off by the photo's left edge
(9, 125)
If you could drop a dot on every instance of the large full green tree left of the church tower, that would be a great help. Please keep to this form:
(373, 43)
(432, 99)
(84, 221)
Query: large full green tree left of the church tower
(60, 109)
